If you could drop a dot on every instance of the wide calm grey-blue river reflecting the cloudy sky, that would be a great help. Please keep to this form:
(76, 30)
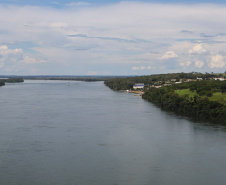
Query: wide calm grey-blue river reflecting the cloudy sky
(83, 133)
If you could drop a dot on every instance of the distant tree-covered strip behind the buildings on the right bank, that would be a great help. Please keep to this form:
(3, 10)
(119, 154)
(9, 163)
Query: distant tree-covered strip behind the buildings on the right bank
(127, 83)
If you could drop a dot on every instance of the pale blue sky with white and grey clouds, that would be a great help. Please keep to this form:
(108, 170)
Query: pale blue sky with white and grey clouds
(66, 37)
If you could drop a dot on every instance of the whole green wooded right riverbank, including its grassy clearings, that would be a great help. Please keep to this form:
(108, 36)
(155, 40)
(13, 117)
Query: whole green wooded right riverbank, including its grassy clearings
(204, 99)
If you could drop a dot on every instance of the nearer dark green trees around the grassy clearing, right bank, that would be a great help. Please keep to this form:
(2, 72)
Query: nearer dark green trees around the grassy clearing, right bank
(198, 105)
